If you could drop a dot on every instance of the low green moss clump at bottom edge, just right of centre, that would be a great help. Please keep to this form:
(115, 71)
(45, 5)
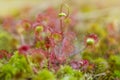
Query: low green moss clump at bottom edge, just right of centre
(67, 73)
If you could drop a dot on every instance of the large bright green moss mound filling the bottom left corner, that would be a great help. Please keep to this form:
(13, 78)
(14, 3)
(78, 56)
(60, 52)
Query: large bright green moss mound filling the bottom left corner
(17, 67)
